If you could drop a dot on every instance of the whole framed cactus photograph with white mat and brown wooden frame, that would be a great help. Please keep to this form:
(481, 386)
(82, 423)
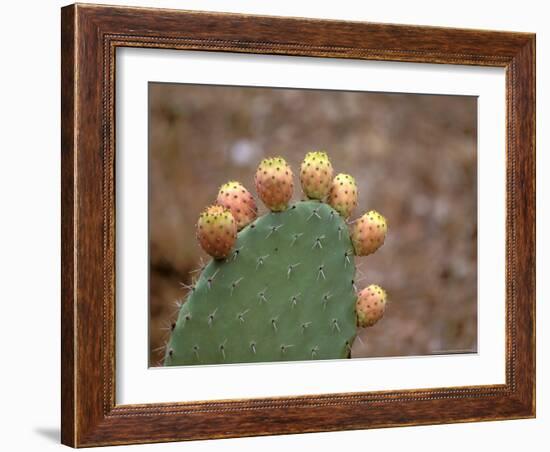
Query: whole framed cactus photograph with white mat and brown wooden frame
(281, 225)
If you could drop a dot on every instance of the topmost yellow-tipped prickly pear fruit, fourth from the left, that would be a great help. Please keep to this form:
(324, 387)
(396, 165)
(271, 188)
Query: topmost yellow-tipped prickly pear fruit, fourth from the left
(316, 175)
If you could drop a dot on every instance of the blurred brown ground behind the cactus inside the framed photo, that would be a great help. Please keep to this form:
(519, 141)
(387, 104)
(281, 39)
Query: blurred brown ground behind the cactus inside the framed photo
(414, 159)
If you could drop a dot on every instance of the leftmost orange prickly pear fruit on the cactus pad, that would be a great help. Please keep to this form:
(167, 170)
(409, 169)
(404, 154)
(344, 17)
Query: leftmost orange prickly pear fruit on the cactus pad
(217, 231)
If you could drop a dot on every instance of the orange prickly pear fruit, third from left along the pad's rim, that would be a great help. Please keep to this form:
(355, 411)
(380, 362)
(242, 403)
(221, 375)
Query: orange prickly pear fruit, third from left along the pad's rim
(274, 183)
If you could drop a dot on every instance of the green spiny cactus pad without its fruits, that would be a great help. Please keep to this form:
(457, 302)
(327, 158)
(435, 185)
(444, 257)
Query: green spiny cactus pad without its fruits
(286, 293)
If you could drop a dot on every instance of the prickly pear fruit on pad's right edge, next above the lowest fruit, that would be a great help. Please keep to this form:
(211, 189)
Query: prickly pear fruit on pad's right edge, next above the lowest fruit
(368, 233)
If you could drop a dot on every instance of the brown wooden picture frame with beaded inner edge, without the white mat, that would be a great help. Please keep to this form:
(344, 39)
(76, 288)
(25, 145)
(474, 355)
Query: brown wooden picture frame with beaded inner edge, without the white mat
(90, 36)
